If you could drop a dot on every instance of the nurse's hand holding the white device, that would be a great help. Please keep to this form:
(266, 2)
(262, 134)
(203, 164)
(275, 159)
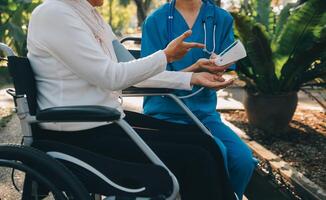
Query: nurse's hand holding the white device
(207, 65)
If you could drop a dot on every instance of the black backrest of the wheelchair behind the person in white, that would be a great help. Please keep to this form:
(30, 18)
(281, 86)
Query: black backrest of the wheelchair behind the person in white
(24, 80)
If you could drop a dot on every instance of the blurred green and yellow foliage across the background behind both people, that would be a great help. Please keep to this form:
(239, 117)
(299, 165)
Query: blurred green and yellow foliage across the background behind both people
(283, 29)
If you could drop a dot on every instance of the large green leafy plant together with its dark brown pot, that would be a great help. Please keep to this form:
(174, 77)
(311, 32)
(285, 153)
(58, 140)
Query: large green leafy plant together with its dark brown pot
(285, 50)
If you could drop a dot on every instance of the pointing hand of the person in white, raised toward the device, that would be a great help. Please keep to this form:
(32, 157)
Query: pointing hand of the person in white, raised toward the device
(177, 48)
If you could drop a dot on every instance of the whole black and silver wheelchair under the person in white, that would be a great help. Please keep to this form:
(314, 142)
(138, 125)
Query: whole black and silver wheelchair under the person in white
(52, 169)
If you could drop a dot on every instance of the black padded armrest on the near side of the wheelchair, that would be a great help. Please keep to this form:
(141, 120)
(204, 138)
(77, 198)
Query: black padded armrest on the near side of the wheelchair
(78, 114)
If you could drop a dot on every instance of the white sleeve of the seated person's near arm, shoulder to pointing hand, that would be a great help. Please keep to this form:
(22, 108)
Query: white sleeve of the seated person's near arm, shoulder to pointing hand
(65, 36)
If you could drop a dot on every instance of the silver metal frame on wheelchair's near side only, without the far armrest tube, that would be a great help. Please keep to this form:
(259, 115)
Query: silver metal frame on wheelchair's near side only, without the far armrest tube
(26, 120)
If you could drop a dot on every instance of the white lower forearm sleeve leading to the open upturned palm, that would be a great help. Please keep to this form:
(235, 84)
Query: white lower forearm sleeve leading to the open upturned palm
(169, 79)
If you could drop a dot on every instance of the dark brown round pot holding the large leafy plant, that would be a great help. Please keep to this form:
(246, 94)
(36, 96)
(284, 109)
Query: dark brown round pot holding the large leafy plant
(271, 113)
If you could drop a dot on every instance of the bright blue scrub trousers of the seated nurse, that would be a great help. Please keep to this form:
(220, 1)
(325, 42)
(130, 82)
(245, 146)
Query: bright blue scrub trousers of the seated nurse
(238, 158)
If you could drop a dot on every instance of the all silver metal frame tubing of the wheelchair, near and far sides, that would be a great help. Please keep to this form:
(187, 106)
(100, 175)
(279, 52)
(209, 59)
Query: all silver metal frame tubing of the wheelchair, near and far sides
(26, 120)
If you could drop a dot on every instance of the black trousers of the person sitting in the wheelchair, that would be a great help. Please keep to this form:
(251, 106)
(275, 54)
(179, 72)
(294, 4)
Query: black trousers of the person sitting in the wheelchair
(193, 156)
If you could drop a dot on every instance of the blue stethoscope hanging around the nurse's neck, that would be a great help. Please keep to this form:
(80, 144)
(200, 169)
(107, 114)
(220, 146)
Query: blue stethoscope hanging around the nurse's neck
(170, 25)
